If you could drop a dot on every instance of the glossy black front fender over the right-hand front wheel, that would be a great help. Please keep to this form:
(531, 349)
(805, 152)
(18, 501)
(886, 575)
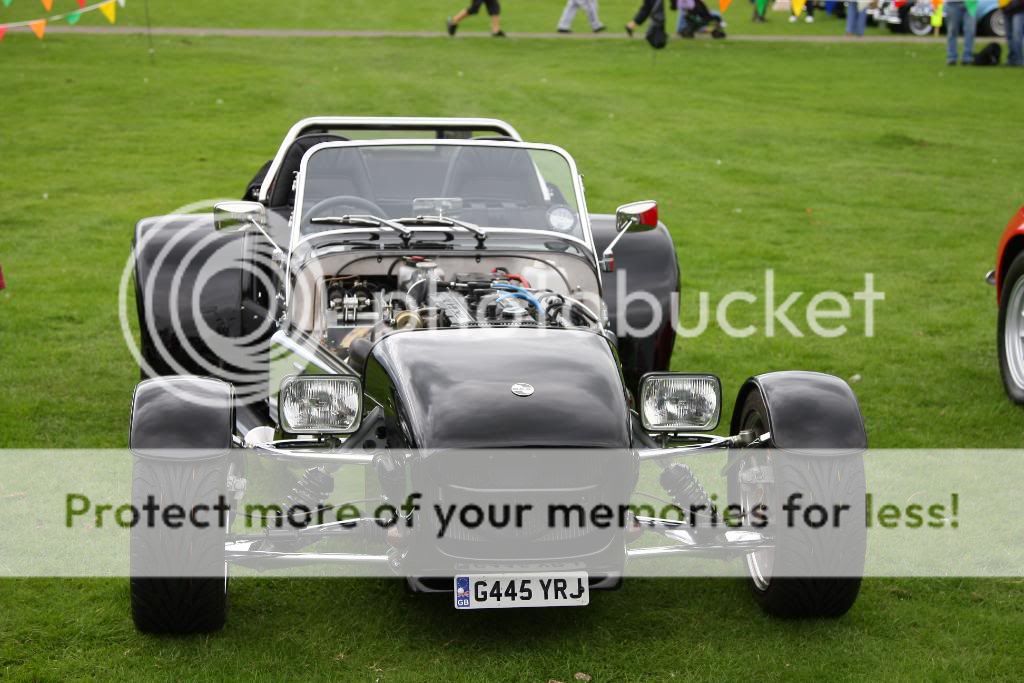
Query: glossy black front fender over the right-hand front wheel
(807, 411)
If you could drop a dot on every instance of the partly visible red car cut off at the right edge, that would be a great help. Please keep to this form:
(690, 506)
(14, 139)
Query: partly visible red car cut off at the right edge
(1009, 281)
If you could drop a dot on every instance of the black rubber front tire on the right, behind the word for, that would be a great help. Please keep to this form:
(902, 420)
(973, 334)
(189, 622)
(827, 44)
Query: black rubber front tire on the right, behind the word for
(802, 549)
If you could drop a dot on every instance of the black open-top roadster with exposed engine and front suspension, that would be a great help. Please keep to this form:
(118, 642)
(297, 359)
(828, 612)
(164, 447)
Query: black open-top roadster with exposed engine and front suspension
(430, 302)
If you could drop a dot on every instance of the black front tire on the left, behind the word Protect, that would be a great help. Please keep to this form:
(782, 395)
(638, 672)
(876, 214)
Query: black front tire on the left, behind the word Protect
(195, 599)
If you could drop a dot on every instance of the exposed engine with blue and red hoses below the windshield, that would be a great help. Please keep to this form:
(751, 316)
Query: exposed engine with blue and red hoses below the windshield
(417, 293)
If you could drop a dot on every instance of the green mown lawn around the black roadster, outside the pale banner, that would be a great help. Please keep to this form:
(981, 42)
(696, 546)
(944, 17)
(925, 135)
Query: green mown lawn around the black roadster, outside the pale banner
(823, 162)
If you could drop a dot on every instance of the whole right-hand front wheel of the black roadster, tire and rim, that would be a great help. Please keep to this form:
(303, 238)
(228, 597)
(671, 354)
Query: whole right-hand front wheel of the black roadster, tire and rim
(809, 571)
